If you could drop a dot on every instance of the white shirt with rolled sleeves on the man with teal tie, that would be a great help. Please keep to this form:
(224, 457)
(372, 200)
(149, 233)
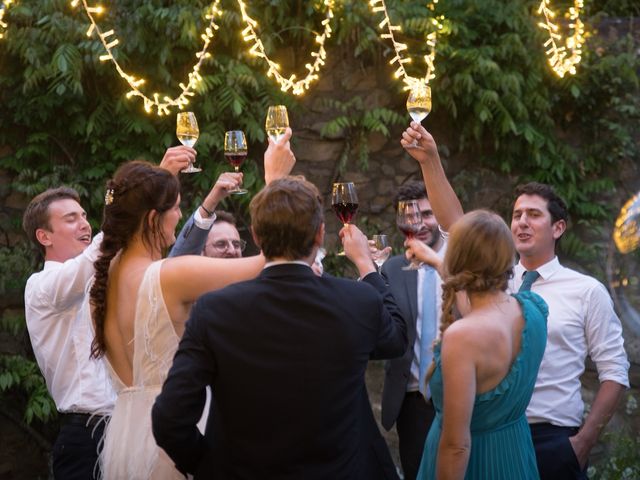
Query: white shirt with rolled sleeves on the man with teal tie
(581, 322)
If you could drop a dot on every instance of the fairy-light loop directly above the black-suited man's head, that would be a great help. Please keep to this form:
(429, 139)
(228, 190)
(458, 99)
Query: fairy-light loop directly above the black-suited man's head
(297, 87)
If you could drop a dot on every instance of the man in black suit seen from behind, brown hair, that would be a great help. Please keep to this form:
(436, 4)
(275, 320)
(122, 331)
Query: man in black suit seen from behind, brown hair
(285, 355)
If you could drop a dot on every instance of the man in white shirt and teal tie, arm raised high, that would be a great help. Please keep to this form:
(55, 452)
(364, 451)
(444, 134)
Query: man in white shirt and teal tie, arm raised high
(581, 322)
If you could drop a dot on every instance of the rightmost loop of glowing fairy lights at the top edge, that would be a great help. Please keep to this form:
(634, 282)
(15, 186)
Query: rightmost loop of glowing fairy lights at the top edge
(563, 59)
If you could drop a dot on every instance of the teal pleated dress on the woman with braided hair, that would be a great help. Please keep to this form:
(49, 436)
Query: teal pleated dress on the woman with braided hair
(501, 446)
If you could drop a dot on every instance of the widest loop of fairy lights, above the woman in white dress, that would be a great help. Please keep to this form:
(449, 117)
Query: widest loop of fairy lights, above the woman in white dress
(161, 106)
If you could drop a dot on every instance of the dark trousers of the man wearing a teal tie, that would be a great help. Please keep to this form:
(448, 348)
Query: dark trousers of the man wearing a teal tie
(554, 453)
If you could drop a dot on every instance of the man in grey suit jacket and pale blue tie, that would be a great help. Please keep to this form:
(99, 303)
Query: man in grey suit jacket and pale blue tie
(418, 294)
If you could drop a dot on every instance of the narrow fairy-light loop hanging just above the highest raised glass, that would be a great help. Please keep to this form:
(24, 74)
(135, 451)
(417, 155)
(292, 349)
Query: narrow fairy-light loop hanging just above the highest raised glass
(411, 83)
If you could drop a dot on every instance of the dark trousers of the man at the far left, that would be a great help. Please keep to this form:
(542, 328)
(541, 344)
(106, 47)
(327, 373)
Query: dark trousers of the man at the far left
(75, 453)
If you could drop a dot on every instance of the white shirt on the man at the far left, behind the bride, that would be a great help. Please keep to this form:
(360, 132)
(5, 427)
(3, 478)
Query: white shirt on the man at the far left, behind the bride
(61, 331)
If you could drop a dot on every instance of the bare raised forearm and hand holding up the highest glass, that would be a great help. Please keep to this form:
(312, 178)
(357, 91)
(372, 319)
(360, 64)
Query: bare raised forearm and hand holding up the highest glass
(444, 201)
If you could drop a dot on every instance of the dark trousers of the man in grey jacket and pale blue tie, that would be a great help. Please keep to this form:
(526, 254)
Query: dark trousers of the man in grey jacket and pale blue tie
(412, 425)
